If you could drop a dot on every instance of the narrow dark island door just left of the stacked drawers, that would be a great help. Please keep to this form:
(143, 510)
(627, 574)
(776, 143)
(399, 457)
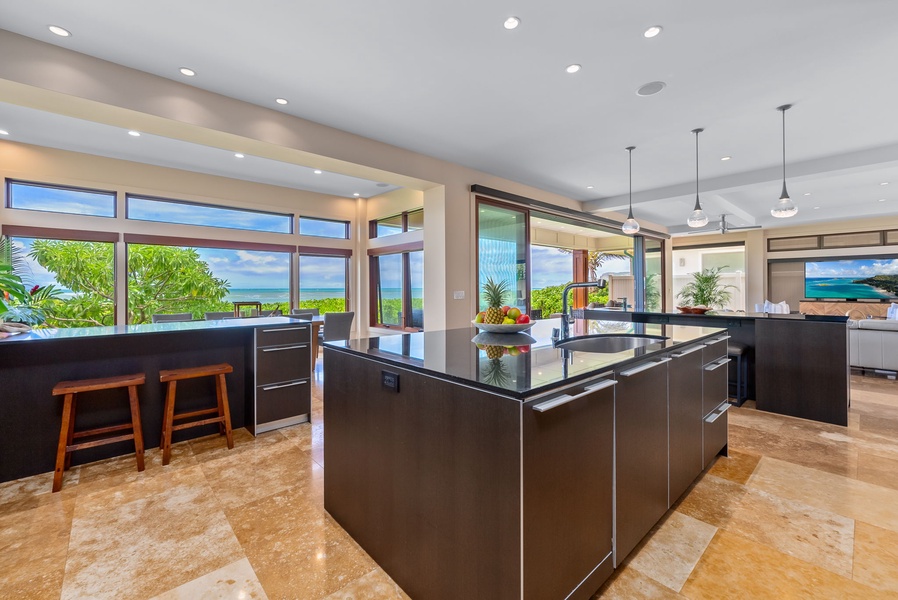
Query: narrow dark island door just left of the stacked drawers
(685, 419)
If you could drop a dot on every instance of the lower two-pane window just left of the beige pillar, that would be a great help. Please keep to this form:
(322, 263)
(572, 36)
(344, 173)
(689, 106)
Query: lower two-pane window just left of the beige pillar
(397, 287)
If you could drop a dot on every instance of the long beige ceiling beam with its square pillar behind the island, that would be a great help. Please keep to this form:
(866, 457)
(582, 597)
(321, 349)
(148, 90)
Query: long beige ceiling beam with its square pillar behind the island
(53, 79)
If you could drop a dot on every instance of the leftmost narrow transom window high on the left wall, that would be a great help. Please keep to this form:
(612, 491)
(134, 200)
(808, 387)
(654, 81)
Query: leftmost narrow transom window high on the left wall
(60, 199)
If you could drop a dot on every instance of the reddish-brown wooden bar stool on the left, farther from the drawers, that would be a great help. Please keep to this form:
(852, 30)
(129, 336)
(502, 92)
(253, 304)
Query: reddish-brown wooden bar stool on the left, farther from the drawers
(67, 433)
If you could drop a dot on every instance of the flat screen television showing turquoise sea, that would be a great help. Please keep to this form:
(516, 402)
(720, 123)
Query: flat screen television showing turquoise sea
(856, 279)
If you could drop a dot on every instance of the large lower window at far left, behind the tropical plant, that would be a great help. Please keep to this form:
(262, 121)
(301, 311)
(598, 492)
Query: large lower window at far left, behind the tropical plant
(71, 283)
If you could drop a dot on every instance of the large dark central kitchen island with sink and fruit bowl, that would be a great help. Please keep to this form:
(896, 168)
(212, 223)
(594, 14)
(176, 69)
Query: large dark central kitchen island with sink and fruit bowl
(508, 468)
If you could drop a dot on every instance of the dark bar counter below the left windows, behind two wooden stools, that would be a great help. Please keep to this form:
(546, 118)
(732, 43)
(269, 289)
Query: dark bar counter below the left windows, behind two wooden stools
(267, 388)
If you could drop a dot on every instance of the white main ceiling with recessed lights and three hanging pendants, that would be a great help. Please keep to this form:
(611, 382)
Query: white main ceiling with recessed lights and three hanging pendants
(445, 79)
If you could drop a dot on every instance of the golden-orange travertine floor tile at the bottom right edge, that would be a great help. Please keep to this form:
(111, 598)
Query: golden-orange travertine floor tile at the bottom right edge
(736, 568)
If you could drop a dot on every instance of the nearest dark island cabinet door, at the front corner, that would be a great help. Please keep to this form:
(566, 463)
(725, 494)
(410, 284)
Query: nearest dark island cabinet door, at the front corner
(568, 444)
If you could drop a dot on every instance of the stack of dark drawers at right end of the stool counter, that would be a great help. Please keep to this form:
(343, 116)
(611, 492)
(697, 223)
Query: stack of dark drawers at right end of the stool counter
(282, 371)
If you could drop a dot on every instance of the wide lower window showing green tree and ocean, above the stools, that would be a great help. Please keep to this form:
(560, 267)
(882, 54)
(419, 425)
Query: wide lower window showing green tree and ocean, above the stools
(180, 279)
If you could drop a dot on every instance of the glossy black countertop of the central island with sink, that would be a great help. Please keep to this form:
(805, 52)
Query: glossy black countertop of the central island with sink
(530, 366)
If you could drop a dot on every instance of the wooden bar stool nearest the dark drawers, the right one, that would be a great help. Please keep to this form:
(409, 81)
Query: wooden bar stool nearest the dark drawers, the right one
(223, 411)
